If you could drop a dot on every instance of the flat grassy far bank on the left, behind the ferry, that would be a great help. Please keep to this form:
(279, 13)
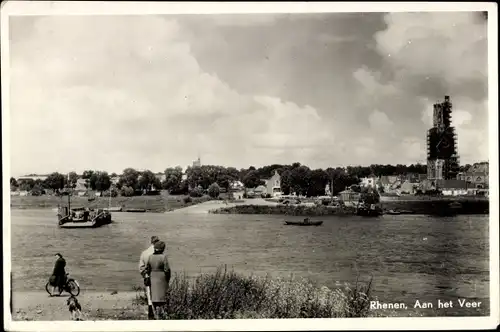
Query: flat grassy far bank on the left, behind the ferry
(158, 203)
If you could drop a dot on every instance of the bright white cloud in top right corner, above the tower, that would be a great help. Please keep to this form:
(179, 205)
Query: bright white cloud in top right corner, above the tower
(445, 45)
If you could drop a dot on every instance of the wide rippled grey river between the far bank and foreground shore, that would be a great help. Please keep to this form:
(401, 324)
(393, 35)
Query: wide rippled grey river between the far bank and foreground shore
(410, 257)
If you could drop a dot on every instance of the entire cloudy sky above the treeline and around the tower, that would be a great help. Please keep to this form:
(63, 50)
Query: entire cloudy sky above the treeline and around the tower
(110, 92)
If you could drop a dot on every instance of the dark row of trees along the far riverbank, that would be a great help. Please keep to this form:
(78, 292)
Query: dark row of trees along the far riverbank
(295, 178)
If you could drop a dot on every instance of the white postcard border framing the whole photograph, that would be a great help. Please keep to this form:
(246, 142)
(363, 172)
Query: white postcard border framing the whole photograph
(11, 8)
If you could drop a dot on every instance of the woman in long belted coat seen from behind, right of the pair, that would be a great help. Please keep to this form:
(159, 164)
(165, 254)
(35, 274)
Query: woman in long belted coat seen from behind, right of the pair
(158, 269)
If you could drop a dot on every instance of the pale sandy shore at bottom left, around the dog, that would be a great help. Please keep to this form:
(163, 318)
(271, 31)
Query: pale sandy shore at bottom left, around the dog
(38, 306)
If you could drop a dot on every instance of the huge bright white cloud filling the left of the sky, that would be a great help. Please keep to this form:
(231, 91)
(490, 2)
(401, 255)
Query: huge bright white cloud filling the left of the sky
(109, 102)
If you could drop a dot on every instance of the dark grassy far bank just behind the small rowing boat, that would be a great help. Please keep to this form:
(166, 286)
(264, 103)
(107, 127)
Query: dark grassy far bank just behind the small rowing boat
(292, 210)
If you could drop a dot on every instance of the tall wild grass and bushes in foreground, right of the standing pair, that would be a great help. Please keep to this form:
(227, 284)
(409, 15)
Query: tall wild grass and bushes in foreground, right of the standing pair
(228, 295)
